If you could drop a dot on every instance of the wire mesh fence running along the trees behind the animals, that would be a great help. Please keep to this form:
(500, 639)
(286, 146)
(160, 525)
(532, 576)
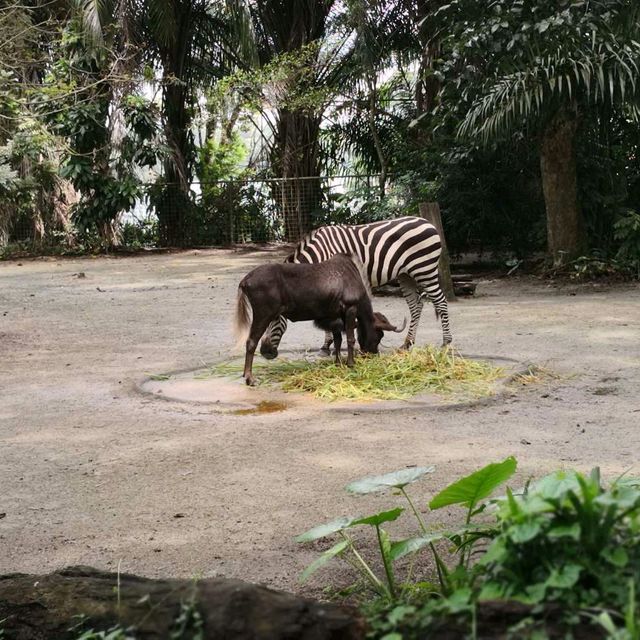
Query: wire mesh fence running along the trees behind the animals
(219, 213)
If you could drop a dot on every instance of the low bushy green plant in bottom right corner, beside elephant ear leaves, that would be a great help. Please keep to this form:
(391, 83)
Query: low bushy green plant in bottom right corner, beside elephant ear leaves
(566, 539)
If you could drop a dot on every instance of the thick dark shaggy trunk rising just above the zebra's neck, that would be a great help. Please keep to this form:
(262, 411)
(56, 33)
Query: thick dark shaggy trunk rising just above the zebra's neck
(295, 160)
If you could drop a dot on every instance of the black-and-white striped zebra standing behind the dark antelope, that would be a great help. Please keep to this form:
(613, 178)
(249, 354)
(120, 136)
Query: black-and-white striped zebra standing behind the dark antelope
(407, 249)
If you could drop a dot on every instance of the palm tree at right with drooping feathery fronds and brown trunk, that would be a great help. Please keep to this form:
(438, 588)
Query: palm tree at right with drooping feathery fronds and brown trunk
(562, 59)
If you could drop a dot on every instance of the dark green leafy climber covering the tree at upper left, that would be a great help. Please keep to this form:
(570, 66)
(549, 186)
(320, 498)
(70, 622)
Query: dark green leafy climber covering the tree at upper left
(102, 171)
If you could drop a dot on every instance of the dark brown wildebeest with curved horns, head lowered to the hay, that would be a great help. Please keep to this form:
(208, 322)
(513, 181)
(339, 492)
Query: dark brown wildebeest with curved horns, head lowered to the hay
(334, 294)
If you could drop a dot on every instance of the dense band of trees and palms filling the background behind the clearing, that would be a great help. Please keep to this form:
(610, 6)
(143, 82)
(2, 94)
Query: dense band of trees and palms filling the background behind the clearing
(226, 119)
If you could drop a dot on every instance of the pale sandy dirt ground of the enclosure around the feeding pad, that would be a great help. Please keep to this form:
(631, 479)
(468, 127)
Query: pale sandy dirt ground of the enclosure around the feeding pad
(92, 472)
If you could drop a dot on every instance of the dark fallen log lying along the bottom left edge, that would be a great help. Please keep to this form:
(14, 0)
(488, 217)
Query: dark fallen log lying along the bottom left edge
(39, 607)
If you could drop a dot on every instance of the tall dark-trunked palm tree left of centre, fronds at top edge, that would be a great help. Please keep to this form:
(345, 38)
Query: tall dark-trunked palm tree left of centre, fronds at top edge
(191, 42)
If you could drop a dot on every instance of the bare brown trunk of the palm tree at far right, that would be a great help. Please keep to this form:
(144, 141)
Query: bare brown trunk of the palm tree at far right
(565, 229)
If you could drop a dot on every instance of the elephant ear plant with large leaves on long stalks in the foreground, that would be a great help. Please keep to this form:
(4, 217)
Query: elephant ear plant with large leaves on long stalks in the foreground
(468, 492)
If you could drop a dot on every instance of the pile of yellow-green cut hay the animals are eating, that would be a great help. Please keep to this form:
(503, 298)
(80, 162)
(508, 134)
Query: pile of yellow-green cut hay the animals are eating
(393, 376)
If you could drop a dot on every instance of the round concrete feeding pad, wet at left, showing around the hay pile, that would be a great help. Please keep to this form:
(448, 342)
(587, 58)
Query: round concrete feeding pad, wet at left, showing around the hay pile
(230, 394)
